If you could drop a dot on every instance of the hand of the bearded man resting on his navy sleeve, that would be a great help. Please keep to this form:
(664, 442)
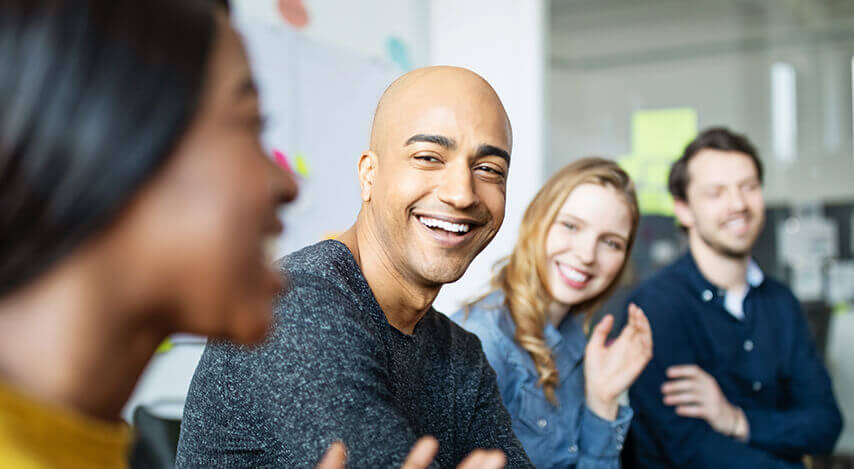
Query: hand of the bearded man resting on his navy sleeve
(696, 394)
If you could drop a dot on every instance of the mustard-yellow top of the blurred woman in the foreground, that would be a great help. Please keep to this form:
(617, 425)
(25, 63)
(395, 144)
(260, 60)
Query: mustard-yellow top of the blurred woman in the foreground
(36, 435)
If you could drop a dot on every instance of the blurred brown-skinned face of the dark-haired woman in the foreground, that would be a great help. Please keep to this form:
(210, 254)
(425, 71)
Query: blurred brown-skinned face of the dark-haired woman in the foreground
(201, 226)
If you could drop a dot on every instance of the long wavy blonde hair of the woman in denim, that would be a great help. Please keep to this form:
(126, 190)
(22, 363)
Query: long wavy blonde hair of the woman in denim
(522, 275)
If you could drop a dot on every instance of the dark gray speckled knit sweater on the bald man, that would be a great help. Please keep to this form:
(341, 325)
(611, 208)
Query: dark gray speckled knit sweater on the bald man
(335, 369)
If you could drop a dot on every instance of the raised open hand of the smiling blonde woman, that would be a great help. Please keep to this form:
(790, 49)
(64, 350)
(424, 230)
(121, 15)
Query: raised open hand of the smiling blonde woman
(610, 369)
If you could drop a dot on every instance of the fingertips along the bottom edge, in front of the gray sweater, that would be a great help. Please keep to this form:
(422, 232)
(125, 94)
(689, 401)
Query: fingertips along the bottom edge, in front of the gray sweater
(419, 457)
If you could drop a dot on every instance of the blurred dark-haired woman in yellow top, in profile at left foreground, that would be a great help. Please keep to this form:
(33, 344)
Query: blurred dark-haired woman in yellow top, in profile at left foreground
(135, 201)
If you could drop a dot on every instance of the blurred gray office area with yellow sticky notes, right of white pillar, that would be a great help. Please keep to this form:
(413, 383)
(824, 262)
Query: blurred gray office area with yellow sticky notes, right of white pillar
(625, 76)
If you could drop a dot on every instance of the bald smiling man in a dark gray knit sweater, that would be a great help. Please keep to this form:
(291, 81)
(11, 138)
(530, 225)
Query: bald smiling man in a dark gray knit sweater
(358, 354)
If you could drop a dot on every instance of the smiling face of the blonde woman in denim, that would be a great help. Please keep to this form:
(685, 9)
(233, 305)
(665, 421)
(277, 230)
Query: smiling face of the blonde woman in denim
(587, 243)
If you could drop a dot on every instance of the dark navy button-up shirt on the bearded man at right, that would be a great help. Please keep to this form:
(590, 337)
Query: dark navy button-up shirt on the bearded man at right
(764, 362)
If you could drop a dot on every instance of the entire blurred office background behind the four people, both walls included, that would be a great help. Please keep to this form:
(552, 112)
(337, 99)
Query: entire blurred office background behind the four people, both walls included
(629, 79)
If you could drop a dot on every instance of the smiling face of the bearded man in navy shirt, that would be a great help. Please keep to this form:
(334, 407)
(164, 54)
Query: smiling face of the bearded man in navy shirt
(724, 207)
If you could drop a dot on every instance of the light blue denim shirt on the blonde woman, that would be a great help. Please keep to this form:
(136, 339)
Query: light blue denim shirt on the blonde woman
(569, 435)
